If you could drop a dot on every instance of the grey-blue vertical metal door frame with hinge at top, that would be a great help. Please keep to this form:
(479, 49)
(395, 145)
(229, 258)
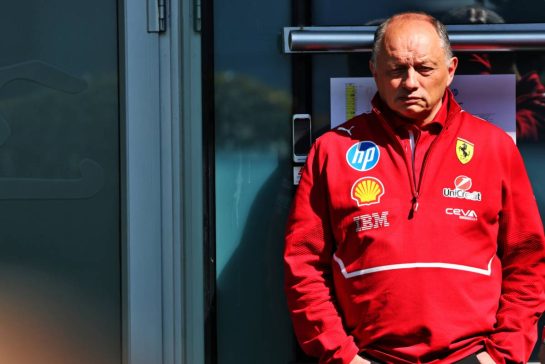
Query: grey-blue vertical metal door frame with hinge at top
(162, 184)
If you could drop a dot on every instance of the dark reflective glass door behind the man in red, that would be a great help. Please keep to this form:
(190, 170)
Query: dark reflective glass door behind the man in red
(257, 87)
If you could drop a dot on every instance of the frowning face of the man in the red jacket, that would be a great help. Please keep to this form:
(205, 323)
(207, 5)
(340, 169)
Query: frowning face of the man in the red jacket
(412, 71)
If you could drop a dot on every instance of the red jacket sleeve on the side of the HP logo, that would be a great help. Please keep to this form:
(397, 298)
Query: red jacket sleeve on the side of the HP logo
(309, 247)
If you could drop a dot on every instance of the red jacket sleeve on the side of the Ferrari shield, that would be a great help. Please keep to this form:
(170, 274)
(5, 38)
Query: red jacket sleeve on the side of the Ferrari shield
(521, 251)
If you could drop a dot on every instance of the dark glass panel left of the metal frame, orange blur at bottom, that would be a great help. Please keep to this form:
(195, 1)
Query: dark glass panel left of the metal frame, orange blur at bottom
(60, 274)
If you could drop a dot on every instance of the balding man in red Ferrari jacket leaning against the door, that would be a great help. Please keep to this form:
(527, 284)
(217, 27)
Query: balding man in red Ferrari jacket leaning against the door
(414, 236)
